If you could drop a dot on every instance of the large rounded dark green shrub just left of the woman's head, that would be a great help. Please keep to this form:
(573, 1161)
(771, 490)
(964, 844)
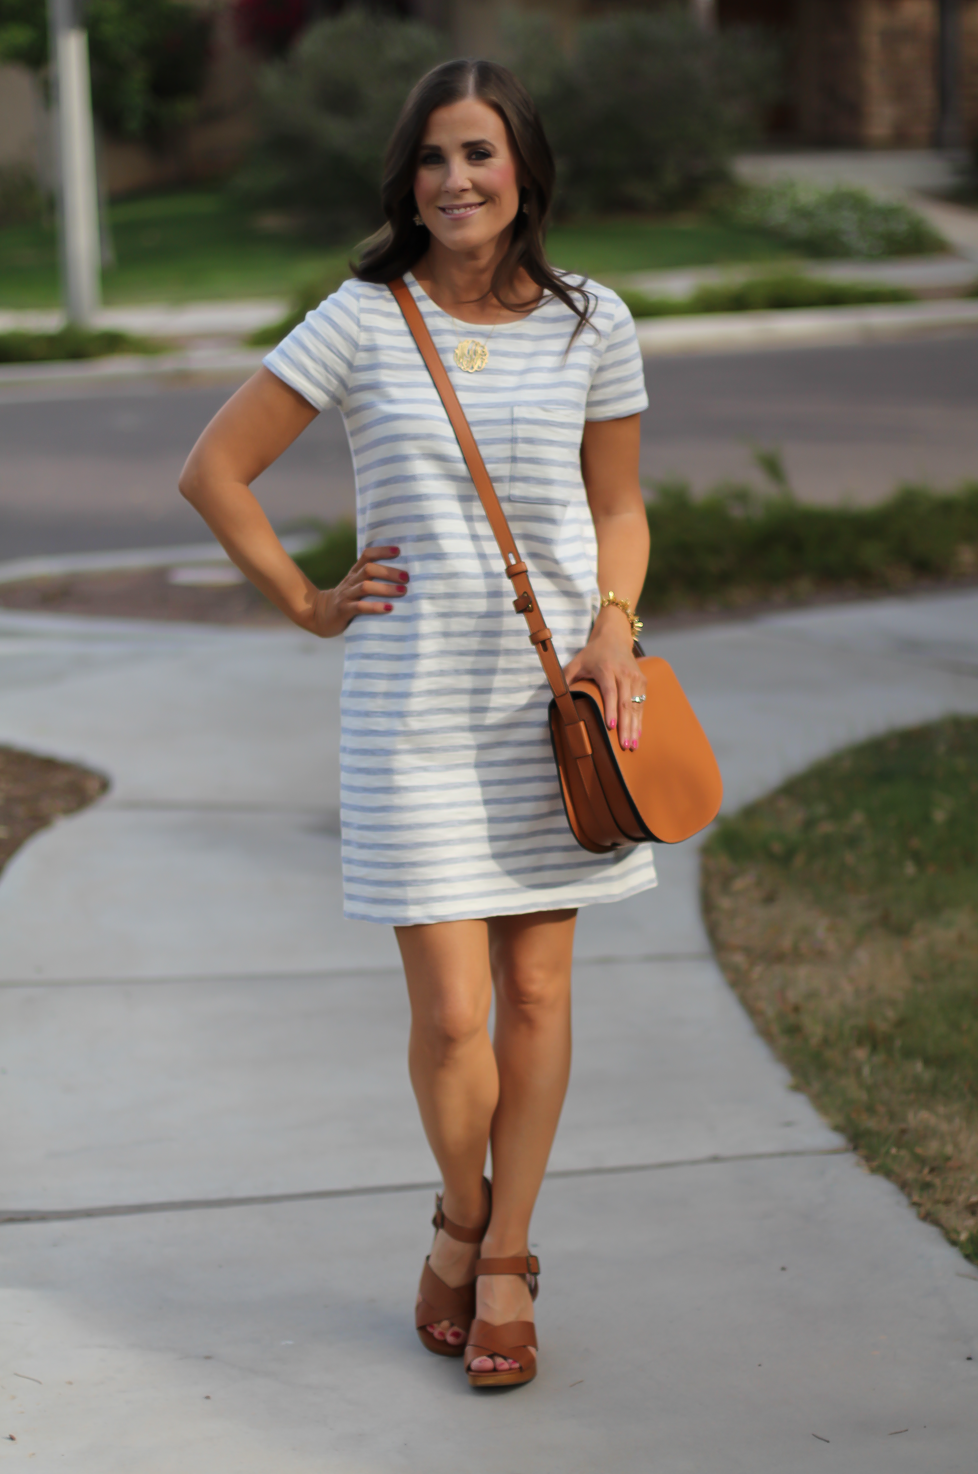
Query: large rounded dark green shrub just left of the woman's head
(326, 116)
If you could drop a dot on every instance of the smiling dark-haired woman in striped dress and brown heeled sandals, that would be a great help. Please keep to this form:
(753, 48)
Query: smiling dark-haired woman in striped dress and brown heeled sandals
(451, 813)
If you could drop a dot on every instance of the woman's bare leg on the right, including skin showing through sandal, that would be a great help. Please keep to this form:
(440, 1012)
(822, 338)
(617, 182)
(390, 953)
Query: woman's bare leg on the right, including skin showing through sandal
(531, 968)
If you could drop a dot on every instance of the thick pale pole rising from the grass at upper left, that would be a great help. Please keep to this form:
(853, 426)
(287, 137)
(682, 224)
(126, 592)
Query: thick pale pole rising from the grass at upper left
(79, 191)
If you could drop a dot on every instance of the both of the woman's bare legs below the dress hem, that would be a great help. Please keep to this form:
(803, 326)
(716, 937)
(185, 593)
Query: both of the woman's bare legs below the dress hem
(466, 1090)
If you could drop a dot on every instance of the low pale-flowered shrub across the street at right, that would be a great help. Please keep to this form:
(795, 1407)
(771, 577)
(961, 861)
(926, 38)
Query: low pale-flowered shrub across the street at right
(836, 222)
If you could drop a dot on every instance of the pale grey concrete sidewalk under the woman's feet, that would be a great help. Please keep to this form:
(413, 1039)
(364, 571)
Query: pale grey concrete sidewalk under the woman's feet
(216, 1187)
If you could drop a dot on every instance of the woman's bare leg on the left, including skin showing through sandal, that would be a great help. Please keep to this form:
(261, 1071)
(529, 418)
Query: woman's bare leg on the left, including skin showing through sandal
(454, 1075)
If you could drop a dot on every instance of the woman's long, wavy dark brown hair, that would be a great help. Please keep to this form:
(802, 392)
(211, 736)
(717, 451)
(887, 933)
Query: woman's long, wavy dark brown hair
(395, 248)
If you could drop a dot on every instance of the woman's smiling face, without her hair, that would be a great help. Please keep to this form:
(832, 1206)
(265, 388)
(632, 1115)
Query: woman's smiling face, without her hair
(468, 182)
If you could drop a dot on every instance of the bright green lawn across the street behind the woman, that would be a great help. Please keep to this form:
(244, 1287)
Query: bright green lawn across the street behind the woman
(198, 245)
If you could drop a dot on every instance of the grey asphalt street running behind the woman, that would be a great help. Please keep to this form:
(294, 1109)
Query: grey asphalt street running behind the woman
(95, 468)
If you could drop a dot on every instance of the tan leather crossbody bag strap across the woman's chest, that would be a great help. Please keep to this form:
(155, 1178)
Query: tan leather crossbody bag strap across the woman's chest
(525, 604)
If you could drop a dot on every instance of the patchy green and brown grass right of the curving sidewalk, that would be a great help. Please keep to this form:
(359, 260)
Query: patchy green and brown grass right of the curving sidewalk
(843, 912)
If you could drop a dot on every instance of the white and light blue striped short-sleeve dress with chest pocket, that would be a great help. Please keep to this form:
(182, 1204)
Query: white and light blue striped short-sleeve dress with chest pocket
(450, 803)
